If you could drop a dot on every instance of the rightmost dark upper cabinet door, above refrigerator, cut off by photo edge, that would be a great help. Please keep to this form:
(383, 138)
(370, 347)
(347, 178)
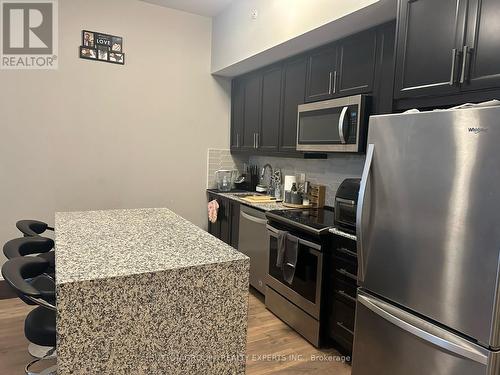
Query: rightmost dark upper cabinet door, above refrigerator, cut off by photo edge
(482, 67)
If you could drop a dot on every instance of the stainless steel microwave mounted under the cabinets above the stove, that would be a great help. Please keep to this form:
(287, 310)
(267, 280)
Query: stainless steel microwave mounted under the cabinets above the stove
(335, 125)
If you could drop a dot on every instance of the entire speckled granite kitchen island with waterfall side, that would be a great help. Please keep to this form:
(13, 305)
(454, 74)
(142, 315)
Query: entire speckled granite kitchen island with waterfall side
(144, 291)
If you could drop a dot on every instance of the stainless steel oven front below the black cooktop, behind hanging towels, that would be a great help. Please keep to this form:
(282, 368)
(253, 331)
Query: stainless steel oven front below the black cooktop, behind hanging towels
(298, 303)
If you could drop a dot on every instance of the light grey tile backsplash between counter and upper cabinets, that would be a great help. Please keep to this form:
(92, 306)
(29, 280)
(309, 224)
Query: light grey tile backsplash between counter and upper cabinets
(329, 172)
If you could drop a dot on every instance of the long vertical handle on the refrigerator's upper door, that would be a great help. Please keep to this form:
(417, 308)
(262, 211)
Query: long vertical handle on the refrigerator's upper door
(359, 214)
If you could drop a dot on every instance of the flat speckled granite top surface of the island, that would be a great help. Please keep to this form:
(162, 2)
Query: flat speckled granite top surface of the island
(94, 245)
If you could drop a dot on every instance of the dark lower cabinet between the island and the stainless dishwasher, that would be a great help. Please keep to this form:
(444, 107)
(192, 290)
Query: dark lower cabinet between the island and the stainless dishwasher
(226, 228)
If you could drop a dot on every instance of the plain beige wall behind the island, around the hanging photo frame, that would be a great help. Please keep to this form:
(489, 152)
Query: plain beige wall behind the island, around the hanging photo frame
(94, 135)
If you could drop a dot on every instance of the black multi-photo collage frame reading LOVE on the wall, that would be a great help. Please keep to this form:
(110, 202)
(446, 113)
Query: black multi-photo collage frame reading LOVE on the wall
(103, 46)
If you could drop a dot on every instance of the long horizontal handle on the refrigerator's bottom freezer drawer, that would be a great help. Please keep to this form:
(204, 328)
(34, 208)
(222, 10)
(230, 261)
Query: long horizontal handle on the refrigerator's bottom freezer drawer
(399, 318)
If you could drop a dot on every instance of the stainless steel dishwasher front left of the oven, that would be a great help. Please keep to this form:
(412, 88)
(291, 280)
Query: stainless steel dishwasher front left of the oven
(254, 242)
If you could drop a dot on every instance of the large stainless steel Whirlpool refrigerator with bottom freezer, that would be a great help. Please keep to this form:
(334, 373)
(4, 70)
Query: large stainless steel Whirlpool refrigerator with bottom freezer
(429, 245)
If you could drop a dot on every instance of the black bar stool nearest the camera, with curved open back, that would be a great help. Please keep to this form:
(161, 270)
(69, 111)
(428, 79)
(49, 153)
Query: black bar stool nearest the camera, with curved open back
(40, 324)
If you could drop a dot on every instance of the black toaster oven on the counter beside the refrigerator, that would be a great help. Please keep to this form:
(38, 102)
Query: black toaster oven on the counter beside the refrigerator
(346, 203)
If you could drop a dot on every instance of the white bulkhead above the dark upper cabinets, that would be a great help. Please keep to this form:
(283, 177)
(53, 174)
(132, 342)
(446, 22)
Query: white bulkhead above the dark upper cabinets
(287, 27)
